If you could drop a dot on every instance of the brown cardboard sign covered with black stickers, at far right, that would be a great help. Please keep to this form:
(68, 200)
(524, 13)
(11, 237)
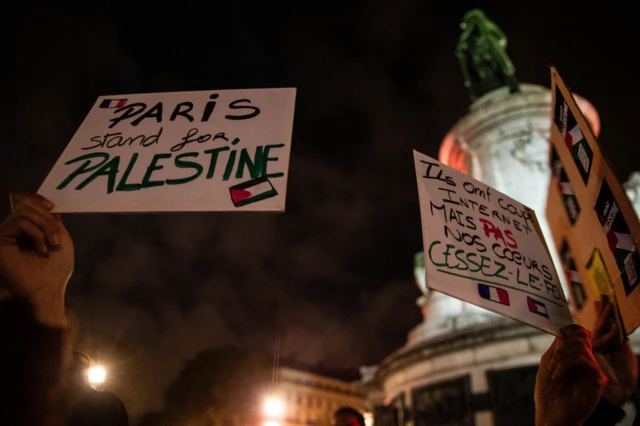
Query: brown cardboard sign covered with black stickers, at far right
(591, 218)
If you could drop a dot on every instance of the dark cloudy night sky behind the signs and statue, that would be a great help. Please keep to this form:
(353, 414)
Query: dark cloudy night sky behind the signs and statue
(375, 80)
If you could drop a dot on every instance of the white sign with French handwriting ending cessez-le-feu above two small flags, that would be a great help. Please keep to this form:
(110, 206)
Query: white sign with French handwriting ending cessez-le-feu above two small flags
(487, 249)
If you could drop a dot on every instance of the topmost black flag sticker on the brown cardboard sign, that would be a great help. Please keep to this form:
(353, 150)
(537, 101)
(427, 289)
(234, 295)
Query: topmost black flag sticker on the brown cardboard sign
(573, 137)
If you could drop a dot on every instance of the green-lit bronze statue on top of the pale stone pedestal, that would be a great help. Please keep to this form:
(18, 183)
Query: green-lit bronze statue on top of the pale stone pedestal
(482, 54)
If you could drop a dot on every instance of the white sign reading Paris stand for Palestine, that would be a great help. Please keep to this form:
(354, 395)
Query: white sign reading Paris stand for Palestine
(223, 150)
